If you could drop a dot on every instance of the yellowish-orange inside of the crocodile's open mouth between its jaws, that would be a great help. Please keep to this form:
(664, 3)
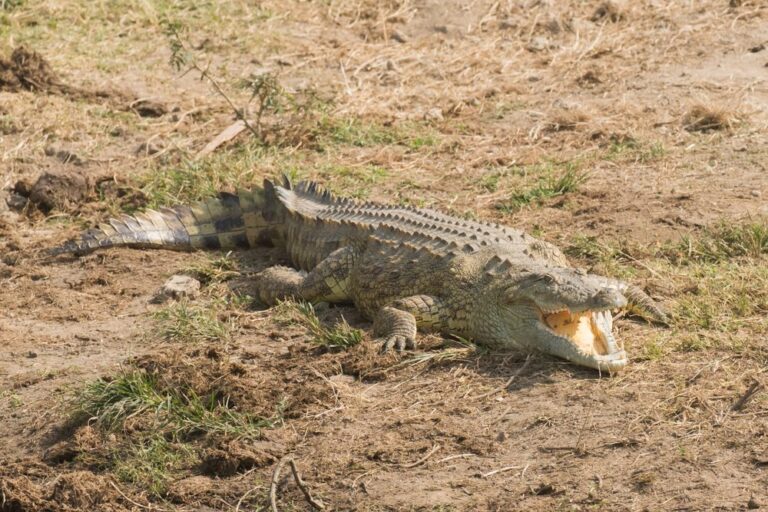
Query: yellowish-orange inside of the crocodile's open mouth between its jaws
(589, 331)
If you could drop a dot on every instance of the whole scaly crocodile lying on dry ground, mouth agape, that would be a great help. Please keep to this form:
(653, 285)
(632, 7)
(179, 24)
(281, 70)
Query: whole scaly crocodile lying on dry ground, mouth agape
(404, 268)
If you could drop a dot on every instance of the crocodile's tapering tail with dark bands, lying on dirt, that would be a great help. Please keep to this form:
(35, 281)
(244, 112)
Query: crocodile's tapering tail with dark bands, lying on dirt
(225, 222)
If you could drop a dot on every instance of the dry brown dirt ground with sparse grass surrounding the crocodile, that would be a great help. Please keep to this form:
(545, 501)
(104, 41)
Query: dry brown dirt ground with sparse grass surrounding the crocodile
(634, 136)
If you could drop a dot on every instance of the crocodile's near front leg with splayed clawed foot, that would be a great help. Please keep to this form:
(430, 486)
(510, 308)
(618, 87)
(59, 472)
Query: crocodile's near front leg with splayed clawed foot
(395, 325)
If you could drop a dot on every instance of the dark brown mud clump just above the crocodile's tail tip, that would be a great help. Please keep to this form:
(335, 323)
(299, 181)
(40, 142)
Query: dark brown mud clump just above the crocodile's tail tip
(60, 190)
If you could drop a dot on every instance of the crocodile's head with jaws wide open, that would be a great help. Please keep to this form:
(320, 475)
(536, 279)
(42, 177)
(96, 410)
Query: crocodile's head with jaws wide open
(562, 311)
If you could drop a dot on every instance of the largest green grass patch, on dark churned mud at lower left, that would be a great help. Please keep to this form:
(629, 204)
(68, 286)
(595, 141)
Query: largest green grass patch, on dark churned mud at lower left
(159, 424)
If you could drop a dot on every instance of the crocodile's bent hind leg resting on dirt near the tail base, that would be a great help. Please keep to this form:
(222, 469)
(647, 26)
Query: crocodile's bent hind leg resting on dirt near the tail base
(327, 282)
